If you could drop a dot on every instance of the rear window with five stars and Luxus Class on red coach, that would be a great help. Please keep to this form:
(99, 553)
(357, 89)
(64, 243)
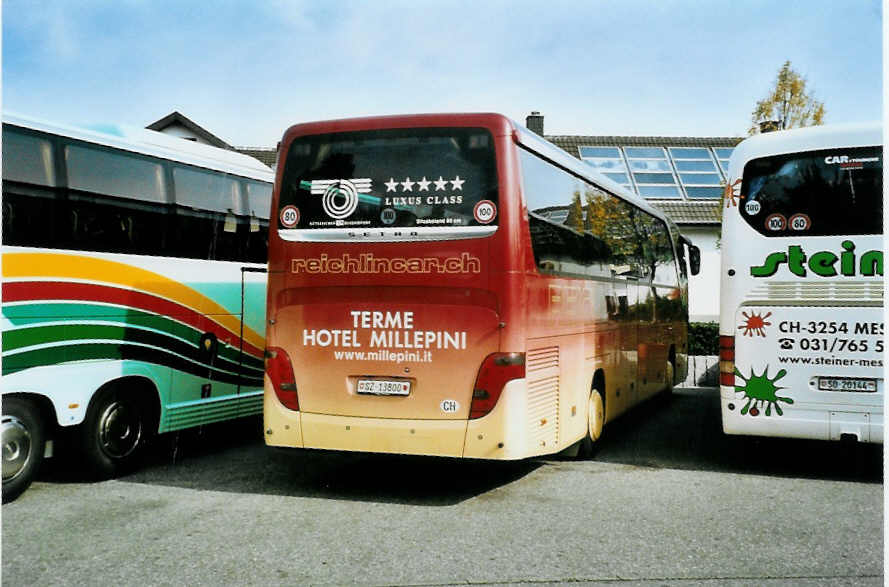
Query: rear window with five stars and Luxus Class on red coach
(394, 184)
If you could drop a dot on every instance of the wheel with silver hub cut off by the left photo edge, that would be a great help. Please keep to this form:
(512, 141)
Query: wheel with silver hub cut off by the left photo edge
(24, 440)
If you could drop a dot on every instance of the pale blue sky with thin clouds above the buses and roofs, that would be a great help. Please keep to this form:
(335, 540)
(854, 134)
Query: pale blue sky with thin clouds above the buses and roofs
(247, 69)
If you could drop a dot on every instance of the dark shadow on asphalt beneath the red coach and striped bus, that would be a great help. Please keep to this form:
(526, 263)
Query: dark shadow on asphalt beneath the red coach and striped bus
(232, 457)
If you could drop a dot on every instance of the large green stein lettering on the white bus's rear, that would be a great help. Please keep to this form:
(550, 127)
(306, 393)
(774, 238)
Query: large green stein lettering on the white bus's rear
(822, 263)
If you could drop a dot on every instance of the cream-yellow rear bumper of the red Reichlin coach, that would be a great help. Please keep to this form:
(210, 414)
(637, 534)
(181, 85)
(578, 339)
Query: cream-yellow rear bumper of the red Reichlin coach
(502, 434)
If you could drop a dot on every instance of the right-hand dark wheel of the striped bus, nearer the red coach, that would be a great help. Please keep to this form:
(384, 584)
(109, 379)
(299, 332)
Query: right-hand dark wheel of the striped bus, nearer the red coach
(114, 432)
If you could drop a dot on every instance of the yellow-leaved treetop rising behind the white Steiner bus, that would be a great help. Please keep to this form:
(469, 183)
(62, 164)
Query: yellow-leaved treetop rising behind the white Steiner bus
(788, 104)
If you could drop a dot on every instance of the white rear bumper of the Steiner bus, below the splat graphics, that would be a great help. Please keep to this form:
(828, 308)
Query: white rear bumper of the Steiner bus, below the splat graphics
(802, 420)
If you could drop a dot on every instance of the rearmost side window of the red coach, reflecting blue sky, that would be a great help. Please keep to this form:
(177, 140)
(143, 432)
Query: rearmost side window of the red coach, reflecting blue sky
(560, 235)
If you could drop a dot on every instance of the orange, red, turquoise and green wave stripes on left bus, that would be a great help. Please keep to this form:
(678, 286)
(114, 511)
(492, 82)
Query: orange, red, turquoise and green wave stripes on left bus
(66, 307)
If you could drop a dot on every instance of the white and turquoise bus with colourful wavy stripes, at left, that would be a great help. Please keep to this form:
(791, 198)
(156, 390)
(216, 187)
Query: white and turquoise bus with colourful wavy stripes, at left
(133, 293)
